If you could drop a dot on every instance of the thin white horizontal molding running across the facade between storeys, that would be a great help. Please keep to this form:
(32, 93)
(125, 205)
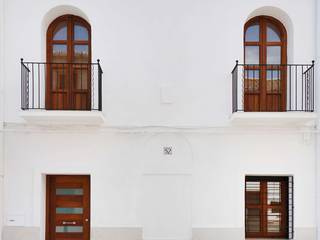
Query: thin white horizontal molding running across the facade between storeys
(134, 129)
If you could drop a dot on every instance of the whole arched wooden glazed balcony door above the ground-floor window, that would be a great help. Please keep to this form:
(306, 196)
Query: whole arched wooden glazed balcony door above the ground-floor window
(265, 57)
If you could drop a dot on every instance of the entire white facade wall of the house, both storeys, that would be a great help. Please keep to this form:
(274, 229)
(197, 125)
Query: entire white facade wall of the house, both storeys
(150, 49)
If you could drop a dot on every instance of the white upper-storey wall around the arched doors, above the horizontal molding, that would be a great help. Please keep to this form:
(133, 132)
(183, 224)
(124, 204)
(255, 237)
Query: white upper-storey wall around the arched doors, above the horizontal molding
(185, 46)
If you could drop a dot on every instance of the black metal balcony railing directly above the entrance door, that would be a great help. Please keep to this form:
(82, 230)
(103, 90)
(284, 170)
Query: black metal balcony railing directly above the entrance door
(61, 86)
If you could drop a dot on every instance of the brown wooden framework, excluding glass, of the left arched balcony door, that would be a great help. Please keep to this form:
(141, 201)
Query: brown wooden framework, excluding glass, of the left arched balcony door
(68, 97)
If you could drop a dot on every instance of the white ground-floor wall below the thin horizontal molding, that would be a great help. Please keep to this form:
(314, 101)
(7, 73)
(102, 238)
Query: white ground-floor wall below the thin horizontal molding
(121, 166)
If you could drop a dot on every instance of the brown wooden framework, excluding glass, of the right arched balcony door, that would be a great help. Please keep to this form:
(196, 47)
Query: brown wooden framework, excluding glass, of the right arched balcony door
(259, 99)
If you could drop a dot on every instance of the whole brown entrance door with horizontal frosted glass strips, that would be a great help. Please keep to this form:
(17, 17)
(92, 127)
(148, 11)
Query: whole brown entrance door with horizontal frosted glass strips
(68, 207)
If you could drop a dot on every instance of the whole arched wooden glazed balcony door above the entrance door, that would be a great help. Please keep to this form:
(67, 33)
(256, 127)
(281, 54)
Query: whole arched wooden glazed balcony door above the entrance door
(69, 64)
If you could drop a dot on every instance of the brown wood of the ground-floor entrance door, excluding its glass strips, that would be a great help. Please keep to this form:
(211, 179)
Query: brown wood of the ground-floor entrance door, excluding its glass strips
(81, 201)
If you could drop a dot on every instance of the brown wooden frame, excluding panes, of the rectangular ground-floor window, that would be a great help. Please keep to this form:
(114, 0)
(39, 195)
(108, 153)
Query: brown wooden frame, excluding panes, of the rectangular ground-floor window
(263, 207)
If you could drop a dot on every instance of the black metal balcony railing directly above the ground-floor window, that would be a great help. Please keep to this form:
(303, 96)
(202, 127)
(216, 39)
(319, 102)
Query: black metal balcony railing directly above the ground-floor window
(273, 88)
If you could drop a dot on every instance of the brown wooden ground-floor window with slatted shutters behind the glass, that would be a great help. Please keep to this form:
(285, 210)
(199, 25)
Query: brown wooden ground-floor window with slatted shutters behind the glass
(266, 202)
